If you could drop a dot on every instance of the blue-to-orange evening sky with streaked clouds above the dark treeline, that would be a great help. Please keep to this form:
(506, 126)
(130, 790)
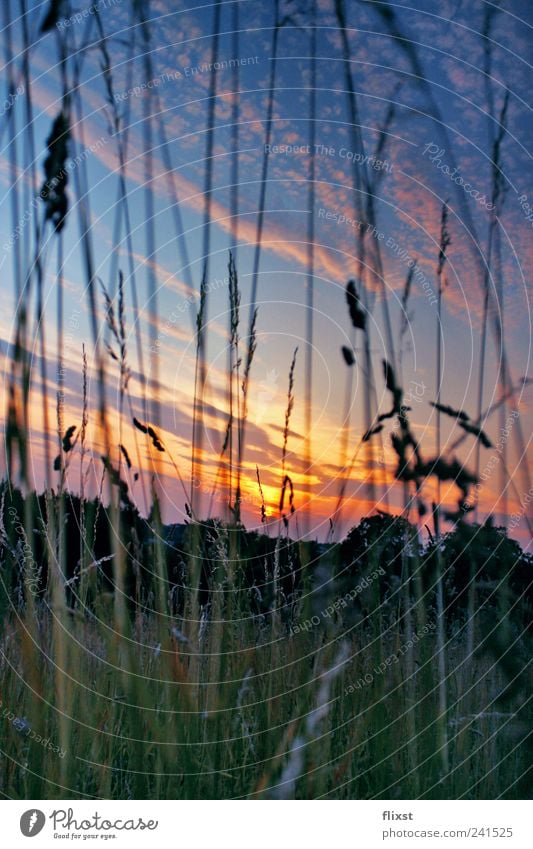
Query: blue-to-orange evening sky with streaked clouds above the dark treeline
(430, 68)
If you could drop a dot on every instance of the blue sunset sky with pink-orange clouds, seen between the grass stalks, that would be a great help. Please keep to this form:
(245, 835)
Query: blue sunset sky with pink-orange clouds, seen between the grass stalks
(446, 111)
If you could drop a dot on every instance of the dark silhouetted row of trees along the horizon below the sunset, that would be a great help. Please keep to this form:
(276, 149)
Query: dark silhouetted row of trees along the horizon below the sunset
(372, 566)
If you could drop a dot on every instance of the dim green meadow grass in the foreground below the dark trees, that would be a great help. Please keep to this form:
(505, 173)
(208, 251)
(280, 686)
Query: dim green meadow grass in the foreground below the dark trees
(339, 705)
